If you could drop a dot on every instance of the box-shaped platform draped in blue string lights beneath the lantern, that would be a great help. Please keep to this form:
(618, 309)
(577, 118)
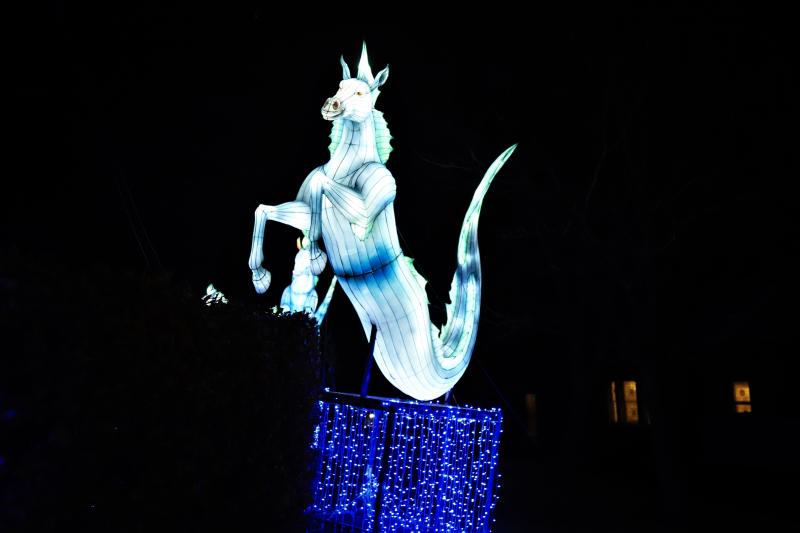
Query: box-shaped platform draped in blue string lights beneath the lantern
(402, 465)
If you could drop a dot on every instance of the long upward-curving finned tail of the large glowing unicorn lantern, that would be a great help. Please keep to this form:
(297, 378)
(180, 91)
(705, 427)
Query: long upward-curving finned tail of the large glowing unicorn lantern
(453, 346)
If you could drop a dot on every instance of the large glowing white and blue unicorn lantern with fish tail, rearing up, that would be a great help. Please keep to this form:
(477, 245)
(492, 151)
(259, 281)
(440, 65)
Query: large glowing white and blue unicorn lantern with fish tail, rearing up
(348, 202)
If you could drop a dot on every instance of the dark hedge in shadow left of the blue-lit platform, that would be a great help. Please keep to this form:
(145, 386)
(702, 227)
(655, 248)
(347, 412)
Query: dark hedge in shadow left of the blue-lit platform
(132, 406)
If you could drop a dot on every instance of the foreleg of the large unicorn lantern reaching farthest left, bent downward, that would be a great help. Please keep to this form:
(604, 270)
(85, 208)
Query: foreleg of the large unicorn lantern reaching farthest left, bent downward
(295, 214)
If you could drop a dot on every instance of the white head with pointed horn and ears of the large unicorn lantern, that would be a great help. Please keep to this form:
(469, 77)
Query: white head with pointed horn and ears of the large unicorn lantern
(356, 97)
